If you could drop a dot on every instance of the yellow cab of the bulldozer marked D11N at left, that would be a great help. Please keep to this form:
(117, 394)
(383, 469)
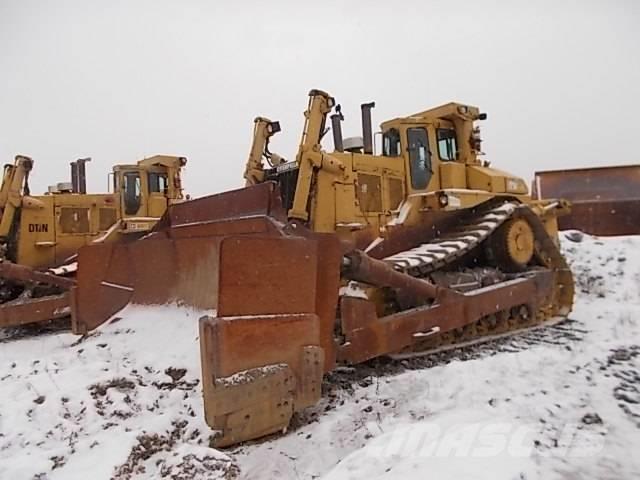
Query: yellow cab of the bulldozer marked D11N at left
(146, 189)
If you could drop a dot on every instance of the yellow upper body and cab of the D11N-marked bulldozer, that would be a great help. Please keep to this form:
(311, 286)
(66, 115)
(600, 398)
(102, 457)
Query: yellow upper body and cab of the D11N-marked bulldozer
(45, 230)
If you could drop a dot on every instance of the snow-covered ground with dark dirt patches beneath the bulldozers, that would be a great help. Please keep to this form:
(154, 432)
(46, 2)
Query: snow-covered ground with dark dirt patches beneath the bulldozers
(560, 402)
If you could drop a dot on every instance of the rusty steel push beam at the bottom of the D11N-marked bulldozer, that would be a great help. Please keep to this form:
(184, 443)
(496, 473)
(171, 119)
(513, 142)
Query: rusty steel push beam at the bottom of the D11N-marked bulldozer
(35, 310)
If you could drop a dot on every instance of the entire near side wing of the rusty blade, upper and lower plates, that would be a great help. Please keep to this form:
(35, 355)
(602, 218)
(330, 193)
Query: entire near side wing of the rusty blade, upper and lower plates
(275, 323)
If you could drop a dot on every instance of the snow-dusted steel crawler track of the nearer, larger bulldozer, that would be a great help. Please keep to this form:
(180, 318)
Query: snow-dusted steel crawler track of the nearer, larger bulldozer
(427, 258)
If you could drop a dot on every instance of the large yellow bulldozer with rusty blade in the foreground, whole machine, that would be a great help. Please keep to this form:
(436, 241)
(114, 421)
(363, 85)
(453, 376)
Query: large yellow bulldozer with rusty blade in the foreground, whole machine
(340, 257)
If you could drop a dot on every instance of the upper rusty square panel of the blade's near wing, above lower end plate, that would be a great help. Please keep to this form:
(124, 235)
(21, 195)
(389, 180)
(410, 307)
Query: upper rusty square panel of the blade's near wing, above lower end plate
(271, 275)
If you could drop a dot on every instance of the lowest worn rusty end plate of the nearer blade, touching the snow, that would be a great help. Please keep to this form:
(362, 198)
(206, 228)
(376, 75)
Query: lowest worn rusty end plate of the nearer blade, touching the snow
(257, 370)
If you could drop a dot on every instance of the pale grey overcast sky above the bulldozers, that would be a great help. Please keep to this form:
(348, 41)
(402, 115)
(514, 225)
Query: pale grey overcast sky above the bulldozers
(121, 80)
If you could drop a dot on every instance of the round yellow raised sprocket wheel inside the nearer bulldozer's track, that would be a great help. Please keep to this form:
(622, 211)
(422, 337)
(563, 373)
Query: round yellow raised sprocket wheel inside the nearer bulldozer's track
(512, 246)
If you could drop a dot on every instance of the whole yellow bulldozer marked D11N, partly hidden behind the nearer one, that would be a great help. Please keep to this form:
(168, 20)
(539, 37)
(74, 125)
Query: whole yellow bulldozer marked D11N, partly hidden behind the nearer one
(40, 235)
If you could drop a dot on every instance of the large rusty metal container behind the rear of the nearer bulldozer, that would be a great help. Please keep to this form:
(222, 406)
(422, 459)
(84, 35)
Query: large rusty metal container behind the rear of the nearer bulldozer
(604, 200)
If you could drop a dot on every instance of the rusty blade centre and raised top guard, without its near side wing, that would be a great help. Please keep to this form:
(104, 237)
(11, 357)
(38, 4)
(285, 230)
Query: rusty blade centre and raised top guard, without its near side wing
(177, 262)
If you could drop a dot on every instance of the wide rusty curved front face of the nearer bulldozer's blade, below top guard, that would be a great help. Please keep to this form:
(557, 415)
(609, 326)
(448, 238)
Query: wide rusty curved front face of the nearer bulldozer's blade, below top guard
(151, 272)
